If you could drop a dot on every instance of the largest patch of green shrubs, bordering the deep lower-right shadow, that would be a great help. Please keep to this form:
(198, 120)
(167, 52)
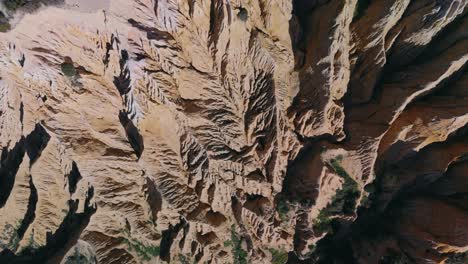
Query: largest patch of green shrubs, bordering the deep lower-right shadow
(344, 201)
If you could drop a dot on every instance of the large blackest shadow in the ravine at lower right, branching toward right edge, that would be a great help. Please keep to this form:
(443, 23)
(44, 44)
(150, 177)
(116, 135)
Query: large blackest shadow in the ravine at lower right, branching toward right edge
(377, 223)
